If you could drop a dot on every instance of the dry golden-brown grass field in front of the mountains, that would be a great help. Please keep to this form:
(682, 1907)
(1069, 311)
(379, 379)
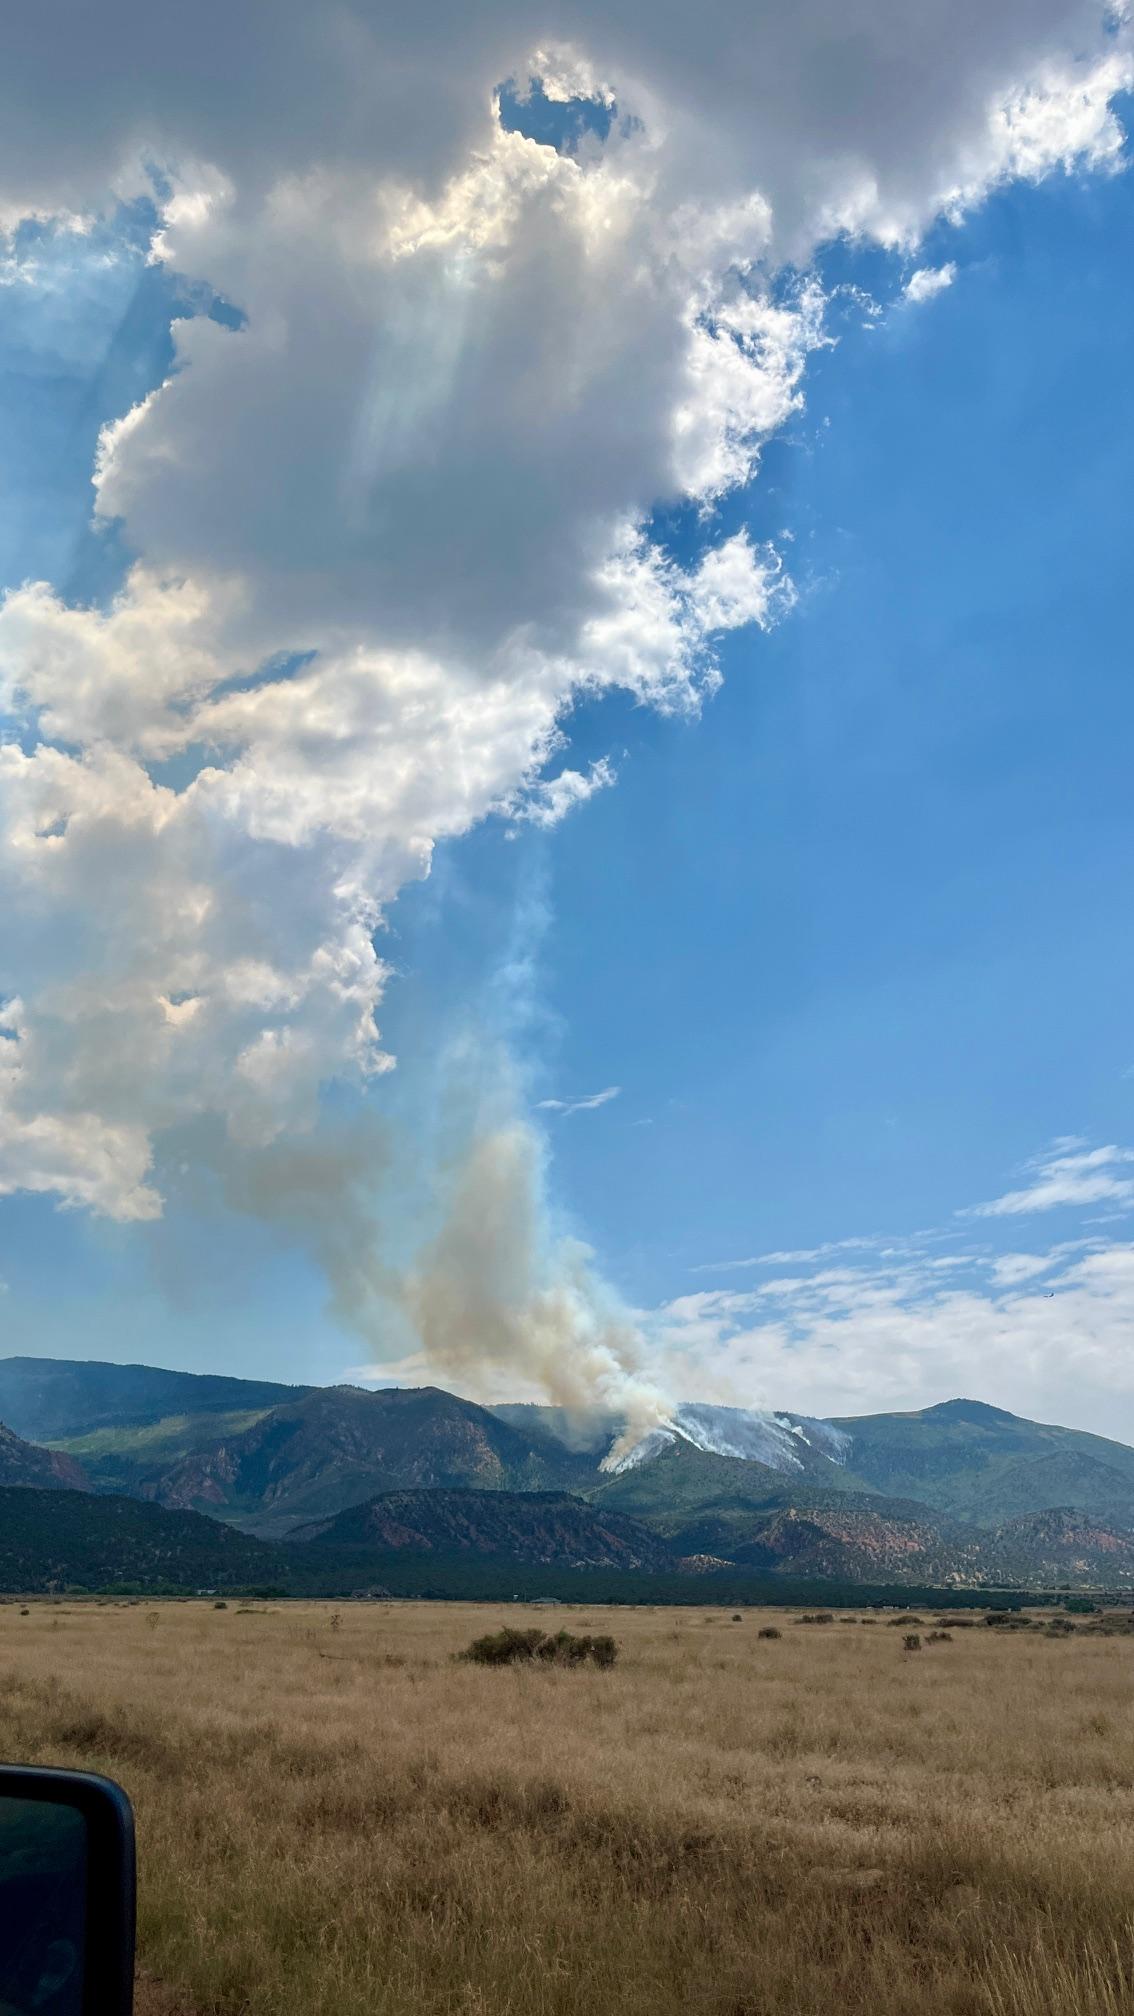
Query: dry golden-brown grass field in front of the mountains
(334, 1815)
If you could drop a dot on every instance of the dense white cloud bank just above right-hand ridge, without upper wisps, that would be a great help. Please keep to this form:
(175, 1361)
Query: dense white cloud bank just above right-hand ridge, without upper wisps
(1042, 1334)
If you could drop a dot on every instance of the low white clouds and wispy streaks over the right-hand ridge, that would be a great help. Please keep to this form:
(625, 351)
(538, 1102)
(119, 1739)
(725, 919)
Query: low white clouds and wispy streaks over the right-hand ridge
(877, 1324)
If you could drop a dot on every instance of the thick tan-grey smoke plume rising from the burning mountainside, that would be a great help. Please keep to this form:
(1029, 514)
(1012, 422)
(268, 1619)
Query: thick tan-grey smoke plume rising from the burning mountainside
(497, 1297)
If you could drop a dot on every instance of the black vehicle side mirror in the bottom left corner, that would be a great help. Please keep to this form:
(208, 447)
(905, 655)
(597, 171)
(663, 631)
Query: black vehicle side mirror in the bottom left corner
(66, 1894)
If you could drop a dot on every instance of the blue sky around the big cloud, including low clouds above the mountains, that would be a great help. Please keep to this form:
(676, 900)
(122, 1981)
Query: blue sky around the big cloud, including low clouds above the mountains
(846, 947)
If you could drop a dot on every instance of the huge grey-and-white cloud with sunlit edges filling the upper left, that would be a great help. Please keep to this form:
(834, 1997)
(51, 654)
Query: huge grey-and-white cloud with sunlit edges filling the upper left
(392, 513)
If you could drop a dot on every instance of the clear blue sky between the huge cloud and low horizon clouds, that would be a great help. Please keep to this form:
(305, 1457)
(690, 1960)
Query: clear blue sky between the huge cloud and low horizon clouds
(853, 944)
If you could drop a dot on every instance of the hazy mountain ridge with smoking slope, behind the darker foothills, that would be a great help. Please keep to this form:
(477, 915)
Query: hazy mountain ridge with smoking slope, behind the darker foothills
(957, 1491)
